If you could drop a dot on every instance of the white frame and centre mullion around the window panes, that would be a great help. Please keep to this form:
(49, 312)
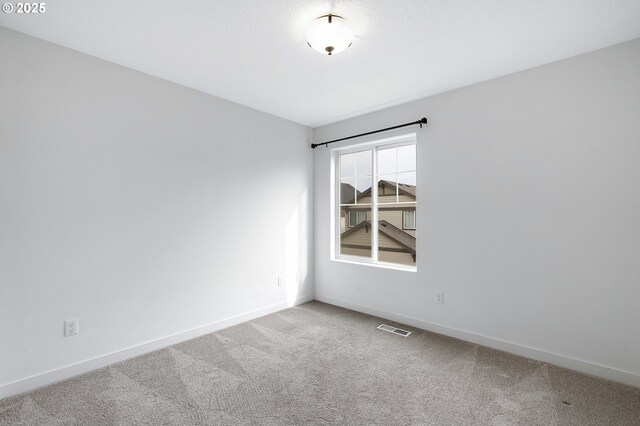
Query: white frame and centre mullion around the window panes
(374, 146)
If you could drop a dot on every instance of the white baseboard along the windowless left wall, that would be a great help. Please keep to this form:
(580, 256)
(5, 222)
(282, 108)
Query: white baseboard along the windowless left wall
(68, 371)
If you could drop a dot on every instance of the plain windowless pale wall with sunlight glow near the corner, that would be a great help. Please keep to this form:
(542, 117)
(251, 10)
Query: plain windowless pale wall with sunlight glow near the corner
(141, 207)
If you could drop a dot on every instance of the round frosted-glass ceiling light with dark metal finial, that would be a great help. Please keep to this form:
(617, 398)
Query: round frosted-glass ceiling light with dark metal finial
(329, 34)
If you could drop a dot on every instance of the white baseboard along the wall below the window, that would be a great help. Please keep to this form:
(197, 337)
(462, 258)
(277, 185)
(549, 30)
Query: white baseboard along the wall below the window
(564, 361)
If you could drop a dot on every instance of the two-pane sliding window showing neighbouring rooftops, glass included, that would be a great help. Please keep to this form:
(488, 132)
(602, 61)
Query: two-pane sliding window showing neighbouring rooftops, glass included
(376, 202)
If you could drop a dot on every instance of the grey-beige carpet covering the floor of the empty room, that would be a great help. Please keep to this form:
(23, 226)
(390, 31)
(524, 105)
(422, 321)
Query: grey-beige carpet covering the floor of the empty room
(318, 364)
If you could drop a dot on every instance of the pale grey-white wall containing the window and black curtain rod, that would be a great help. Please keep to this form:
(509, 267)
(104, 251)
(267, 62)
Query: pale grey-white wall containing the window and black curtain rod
(528, 215)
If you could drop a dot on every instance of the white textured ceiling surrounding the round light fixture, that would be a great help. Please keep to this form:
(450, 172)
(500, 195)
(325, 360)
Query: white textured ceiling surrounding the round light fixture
(253, 52)
